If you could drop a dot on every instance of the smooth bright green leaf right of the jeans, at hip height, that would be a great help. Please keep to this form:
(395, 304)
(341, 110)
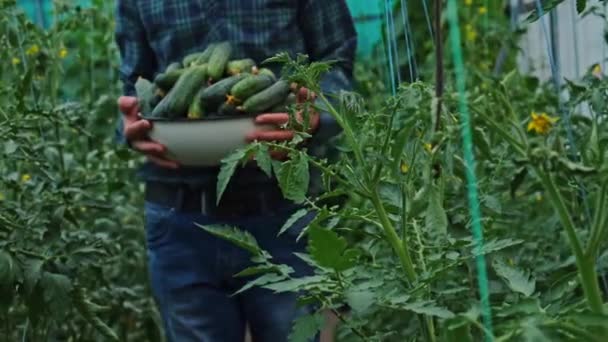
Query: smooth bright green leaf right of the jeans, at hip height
(329, 250)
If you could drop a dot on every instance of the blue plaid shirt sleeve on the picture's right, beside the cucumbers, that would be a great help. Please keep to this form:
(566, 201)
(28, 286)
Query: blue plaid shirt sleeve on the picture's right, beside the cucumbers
(329, 34)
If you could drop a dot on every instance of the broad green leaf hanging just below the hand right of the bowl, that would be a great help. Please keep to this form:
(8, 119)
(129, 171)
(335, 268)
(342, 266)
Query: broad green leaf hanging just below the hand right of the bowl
(294, 178)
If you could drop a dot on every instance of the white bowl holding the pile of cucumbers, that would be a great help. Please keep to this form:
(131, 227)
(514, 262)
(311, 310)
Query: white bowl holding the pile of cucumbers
(202, 142)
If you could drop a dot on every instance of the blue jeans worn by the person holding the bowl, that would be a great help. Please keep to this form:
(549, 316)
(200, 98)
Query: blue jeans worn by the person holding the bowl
(192, 279)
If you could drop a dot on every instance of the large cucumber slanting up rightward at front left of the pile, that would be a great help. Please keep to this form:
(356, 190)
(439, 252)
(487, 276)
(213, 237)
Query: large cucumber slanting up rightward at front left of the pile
(175, 104)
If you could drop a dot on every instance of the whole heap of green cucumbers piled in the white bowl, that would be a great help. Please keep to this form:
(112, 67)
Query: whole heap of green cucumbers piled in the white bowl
(209, 83)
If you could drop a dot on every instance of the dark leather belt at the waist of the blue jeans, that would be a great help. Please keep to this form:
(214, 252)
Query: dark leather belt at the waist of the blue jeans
(235, 203)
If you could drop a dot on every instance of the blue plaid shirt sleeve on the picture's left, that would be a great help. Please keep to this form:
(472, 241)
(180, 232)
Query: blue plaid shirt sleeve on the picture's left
(136, 56)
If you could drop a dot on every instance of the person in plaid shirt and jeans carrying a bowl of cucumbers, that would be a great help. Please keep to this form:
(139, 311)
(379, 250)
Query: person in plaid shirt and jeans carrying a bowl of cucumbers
(192, 272)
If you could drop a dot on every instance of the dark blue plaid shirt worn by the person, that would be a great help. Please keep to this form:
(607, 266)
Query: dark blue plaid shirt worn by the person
(151, 34)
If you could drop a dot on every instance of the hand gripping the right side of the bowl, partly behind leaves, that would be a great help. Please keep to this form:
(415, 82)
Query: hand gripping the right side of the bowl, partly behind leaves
(281, 119)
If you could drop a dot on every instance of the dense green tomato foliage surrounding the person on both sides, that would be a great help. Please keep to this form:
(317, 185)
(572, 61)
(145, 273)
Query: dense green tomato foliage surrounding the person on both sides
(391, 241)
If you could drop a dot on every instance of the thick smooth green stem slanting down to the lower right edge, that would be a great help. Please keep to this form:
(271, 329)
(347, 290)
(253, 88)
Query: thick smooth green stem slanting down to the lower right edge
(586, 266)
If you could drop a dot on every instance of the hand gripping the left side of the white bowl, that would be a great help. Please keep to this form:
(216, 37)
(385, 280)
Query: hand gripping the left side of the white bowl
(136, 132)
